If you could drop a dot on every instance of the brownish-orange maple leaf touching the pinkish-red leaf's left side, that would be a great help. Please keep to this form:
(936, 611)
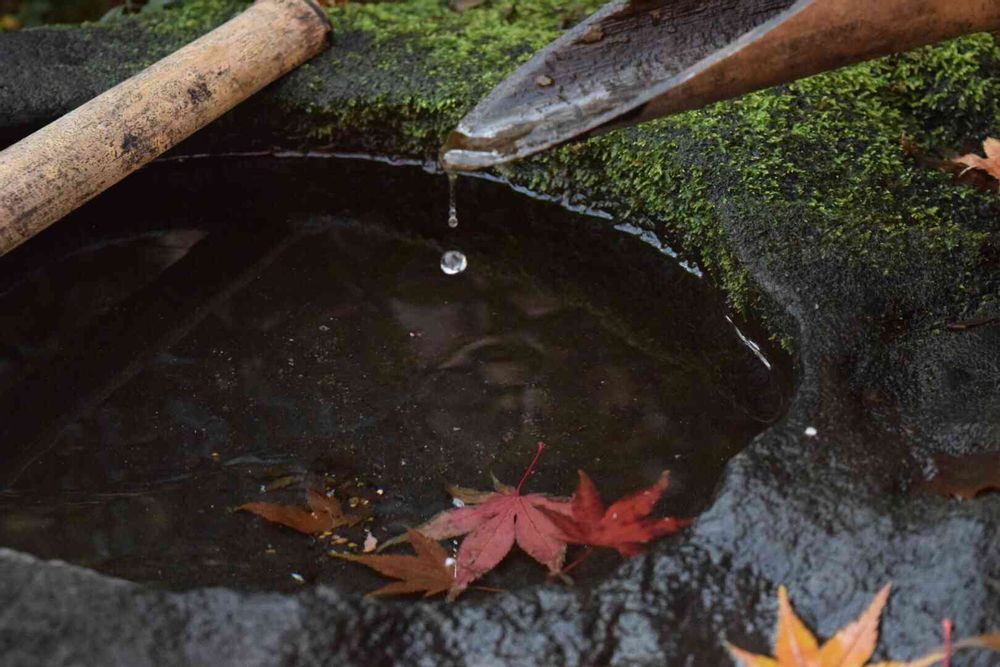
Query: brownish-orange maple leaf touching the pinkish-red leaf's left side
(430, 572)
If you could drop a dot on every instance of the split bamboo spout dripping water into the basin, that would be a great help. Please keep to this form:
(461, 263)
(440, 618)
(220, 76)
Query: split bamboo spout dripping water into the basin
(635, 60)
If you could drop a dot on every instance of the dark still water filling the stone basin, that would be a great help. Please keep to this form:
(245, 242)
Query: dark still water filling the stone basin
(224, 330)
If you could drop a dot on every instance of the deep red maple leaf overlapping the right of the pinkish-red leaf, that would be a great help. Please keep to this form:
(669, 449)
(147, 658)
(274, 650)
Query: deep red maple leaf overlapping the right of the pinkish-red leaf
(623, 526)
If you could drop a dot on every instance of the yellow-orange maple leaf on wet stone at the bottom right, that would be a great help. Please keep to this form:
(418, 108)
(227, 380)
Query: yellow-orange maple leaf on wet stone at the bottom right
(852, 646)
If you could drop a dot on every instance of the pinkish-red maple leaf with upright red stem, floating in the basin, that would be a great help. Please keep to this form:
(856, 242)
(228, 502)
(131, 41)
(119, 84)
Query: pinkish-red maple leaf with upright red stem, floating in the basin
(494, 521)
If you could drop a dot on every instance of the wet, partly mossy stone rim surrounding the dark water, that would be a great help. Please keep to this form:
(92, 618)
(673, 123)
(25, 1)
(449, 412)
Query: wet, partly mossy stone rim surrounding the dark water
(799, 201)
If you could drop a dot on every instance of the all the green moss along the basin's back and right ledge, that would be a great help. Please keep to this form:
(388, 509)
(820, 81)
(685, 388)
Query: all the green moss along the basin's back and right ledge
(823, 156)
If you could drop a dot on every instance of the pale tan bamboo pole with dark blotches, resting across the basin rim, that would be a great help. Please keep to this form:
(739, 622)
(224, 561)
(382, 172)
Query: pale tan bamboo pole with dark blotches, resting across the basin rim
(66, 163)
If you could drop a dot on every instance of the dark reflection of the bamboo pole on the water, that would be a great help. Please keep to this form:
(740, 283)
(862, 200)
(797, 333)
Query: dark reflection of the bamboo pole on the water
(118, 346)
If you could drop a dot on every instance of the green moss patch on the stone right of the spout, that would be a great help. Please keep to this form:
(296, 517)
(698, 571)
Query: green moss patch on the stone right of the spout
(823, 168)
